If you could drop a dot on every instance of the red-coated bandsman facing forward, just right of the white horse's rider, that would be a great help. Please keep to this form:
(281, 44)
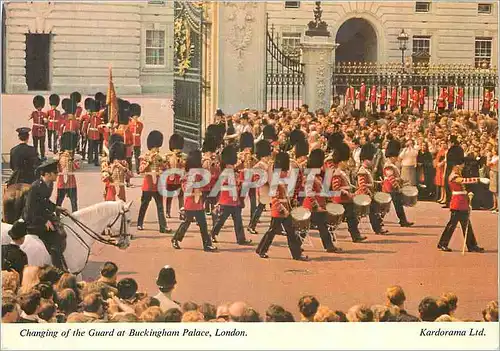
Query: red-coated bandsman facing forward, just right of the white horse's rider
(68, 162)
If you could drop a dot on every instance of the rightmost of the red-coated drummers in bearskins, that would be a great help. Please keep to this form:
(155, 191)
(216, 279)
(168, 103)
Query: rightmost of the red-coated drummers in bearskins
(392, 181)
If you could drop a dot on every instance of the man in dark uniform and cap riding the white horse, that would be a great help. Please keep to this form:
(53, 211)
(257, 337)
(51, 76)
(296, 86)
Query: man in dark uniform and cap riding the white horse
(40, 212)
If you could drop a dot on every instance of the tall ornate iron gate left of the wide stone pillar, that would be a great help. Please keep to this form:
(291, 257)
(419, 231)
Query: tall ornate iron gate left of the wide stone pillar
(188, 71)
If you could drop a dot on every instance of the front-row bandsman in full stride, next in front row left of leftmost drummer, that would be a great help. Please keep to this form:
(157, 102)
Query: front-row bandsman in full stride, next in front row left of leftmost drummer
(230, 205)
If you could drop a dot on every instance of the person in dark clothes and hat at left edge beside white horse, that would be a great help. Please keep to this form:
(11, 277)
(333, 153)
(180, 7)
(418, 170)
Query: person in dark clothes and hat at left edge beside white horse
(13, 258)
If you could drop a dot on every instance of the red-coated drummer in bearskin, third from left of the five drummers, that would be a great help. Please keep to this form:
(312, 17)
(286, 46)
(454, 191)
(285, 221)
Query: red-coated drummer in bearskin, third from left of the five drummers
(342, 188)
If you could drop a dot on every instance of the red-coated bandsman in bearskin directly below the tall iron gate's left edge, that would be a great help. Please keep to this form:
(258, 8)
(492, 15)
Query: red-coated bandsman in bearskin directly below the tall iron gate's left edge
(176, 159)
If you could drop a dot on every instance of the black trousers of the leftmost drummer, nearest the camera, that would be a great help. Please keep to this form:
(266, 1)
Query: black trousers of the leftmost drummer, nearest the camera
(276, 226)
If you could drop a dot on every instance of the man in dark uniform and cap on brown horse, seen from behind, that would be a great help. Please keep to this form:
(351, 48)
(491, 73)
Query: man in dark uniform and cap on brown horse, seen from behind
(23, 160)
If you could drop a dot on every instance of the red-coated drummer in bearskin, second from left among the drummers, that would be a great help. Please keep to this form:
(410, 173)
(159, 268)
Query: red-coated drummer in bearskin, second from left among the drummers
(315, 201)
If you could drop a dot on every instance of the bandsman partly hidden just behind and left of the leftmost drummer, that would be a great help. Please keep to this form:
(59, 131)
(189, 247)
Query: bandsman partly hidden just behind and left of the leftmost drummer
(264, 155)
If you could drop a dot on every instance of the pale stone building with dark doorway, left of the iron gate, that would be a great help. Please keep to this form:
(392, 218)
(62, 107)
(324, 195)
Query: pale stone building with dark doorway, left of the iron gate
(66, 46)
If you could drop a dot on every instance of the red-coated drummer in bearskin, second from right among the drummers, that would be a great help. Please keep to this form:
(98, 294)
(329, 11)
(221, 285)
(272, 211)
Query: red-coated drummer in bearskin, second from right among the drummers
(366, 185)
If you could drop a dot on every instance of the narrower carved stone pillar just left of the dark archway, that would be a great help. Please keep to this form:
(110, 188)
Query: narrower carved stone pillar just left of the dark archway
(317, 56)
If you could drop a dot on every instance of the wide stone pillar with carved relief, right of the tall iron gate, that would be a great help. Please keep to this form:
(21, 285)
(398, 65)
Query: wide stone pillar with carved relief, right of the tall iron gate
(241, 55)
